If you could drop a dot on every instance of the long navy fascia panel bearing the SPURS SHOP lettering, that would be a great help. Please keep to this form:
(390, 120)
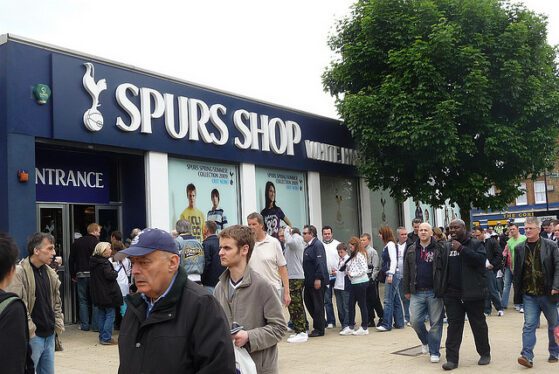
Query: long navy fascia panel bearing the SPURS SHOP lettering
(103, 104)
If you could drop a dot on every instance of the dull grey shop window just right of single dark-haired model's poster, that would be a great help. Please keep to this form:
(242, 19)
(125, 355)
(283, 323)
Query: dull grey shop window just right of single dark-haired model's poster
(340, 206)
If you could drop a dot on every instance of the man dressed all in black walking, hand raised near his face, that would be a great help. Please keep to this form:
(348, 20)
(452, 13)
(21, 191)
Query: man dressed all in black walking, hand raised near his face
(460, 277)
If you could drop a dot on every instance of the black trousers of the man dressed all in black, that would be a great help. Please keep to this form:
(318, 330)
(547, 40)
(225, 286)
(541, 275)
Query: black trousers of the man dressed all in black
(455, 311)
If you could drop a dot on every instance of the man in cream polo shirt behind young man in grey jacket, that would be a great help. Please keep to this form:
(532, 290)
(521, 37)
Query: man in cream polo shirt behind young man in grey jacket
(267, 258)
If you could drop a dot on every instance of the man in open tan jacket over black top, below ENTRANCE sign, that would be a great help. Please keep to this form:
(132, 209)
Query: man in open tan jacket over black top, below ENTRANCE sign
(37, 284)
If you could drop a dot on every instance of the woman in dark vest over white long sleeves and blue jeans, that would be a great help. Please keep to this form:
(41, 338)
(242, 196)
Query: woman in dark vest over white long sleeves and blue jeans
(390, 275)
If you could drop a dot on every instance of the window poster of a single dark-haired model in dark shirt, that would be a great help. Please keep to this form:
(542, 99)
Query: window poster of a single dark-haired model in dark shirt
(281, 199)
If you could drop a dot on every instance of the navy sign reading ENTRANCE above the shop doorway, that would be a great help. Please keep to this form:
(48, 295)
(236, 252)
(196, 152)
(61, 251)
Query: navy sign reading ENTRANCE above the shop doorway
(71, 177)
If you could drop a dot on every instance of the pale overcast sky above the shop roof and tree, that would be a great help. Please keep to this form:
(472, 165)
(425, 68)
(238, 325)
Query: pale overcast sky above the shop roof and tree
(273, 51)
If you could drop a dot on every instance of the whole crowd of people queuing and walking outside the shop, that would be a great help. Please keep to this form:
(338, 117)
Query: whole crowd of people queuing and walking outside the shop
(186, 305)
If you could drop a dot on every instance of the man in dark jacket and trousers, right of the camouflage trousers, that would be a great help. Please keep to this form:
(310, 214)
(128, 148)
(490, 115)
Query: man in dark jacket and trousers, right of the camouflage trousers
(316, 279)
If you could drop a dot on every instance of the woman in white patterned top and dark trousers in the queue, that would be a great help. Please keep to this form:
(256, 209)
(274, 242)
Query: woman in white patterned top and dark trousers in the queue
(356, 270)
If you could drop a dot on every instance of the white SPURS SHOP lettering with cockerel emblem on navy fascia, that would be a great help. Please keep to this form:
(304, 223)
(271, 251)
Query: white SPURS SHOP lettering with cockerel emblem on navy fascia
(193, 119)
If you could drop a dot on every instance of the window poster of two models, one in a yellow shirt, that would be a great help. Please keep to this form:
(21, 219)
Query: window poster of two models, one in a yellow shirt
(203, 191)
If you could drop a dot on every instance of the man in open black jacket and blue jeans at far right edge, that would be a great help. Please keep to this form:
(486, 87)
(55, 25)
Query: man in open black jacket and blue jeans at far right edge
(536, 278)
